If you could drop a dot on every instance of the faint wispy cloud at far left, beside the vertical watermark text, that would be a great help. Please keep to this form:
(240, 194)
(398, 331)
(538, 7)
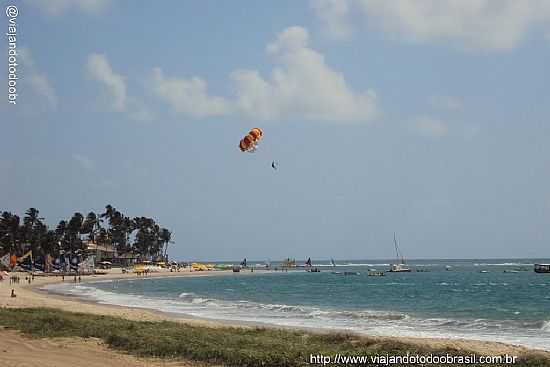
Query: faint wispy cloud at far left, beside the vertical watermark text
(37, 80)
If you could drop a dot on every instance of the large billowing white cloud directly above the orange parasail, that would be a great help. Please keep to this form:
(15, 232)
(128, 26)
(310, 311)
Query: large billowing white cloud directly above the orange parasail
(302, 85)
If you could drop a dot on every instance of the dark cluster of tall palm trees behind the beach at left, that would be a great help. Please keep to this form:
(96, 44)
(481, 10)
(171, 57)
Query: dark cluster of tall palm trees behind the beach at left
(141, 235)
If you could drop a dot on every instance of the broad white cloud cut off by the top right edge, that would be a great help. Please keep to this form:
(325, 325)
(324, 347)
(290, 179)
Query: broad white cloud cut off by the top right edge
(465, 24)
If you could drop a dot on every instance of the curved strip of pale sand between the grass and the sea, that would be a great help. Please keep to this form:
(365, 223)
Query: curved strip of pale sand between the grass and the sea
(30, 295)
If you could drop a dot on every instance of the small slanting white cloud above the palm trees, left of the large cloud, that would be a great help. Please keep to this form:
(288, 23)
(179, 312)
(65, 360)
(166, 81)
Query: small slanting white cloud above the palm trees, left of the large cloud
(99, 69)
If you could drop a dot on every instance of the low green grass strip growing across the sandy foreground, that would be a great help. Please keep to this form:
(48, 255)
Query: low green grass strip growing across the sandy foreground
(227, 346)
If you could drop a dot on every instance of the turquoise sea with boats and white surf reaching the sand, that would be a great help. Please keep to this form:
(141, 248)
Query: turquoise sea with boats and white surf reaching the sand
(475, 299)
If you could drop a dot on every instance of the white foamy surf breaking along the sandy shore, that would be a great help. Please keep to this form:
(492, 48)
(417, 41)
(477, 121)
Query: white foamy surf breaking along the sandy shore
(532, 333)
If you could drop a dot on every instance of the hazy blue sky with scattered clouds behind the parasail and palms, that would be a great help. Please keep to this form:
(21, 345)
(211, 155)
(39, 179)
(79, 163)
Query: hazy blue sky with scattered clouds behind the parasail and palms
(426, 118)
